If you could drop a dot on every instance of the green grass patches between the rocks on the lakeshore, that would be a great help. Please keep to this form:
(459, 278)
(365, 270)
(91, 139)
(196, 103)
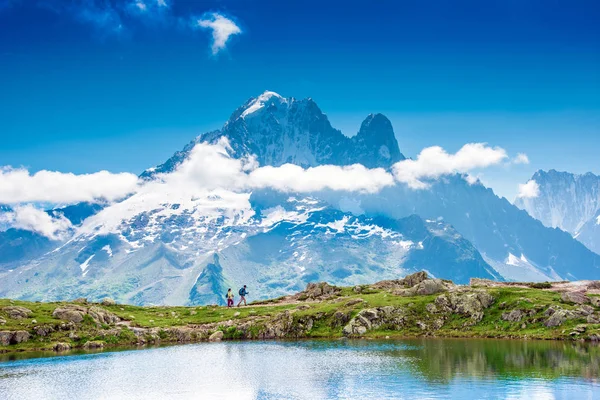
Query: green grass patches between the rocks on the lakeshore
(255, 316)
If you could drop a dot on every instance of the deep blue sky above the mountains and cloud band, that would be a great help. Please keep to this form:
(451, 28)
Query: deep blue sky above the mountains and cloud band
(90, 85)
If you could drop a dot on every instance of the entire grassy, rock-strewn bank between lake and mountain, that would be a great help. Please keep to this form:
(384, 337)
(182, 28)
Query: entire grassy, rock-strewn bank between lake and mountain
(415, 306)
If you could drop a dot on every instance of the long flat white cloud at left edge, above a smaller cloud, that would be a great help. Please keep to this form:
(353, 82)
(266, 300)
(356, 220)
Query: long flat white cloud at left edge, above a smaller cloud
(18, 186)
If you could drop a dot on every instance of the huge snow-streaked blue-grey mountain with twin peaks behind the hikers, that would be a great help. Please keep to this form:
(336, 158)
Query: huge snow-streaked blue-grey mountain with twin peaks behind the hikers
(173, 248)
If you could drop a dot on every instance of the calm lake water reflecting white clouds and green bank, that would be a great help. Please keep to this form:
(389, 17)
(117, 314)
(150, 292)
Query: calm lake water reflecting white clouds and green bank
(404, 369)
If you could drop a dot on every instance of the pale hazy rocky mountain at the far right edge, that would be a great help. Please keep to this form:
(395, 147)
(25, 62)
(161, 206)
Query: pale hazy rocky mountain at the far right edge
(567, 201)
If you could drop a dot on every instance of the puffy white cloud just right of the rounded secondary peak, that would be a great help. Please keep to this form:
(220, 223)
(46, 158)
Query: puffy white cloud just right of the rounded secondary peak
(434, 162)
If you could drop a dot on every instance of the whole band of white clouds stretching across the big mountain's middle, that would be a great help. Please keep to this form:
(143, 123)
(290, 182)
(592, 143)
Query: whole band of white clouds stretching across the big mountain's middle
(212, 174)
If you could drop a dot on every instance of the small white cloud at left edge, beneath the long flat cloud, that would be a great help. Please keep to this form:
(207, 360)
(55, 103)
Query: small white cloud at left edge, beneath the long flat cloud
(29, 218)
